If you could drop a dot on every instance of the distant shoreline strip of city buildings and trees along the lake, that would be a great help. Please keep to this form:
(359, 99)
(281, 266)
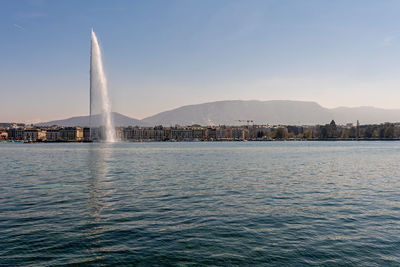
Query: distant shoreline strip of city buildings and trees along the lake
(198, 133)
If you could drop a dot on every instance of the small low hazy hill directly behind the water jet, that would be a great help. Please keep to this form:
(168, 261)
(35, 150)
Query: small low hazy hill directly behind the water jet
(119, 120)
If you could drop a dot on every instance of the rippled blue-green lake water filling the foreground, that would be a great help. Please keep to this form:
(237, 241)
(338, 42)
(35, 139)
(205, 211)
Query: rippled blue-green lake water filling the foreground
(222, 203)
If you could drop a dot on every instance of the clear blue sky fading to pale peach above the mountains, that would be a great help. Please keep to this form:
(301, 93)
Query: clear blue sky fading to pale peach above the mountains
(161, 55)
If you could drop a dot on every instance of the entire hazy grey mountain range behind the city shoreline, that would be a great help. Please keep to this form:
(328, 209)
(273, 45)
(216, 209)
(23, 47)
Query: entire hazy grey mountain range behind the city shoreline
(234, 112)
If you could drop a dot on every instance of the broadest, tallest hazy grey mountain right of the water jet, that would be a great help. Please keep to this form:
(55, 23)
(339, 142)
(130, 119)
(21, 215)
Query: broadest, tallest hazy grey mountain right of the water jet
(229, 112)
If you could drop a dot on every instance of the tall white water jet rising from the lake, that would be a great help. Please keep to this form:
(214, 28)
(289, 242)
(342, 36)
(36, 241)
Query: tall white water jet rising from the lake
(100, 105)
